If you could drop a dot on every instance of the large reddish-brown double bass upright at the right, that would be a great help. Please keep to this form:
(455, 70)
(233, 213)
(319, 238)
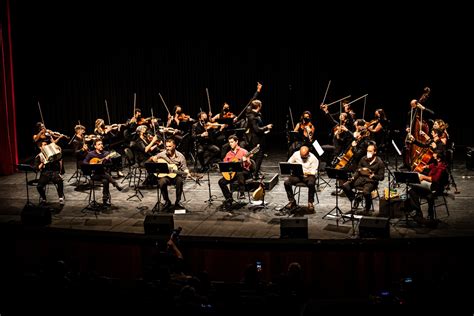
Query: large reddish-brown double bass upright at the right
(415, 156)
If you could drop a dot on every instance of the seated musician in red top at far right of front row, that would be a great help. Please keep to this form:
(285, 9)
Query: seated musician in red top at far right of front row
(434, 181)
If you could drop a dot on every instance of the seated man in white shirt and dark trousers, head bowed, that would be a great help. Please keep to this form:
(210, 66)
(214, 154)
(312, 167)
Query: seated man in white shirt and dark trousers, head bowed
(310, 168)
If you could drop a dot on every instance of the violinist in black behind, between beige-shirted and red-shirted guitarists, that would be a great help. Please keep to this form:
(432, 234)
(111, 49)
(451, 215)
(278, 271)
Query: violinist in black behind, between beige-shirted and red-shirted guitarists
(203, 137)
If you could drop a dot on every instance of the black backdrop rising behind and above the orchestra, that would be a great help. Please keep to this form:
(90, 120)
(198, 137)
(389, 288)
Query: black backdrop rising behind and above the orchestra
(73, 61)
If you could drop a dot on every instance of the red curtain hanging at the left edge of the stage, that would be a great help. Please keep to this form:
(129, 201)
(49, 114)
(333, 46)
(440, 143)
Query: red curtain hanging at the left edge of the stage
(8, 139)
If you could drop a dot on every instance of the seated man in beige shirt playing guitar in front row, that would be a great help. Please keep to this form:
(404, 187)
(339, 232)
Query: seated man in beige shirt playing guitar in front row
(174, 157)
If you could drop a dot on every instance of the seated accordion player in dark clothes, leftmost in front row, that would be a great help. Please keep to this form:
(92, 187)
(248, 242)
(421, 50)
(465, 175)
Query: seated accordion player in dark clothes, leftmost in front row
(50, 172)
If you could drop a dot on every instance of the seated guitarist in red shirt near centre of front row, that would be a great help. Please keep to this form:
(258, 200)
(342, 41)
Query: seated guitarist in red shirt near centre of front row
(236, 154)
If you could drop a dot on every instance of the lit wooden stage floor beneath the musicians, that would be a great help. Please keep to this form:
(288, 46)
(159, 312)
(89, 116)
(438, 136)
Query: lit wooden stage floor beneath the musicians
(244, 221)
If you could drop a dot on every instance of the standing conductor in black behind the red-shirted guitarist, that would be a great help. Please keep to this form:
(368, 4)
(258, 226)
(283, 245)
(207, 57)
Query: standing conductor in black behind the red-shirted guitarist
(256, 132)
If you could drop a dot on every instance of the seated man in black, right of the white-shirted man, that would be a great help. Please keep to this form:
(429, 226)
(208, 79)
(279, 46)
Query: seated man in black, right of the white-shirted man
(370, 171)
